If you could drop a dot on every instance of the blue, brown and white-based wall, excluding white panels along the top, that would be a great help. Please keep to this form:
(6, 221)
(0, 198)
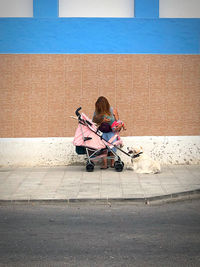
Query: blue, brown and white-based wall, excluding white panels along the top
(148, 67)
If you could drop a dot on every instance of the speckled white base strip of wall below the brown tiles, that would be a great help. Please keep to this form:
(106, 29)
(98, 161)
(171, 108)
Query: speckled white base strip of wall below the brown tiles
(60, 151)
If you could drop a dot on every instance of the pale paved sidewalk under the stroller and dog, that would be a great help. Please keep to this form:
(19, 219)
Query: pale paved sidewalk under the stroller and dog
(73, 183)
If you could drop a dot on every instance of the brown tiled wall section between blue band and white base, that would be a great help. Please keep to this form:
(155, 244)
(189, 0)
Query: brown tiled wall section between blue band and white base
(154, 94)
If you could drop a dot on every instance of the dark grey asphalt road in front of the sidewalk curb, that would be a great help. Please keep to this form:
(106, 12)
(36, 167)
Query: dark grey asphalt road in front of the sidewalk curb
(100, 235)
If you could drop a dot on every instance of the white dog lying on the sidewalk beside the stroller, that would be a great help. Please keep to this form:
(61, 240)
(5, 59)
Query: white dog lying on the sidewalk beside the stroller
(141, 162)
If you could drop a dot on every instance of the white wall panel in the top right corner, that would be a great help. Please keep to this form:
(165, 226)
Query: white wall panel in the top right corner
(179, 8)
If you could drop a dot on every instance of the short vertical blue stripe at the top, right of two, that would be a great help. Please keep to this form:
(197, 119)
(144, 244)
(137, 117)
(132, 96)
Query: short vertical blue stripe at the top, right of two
(146, 8)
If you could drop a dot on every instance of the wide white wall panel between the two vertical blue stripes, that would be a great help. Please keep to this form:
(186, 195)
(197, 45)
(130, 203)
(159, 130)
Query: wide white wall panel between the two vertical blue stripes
(96, 8)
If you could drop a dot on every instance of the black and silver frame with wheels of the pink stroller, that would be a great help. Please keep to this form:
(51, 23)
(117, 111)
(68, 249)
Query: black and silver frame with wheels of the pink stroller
(92, 154)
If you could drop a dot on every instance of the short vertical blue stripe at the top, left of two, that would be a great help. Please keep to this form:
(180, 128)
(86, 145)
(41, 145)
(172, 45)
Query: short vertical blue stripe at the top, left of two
(45, 8)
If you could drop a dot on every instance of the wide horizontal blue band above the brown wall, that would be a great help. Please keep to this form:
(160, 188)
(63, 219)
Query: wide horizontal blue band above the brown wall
(100, 36)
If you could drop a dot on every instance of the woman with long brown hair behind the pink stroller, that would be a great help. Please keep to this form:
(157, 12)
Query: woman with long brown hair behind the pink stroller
(108, 121)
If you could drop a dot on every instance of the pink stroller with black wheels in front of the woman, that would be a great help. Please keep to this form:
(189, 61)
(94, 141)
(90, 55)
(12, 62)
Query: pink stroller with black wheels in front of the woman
(88, 140)
